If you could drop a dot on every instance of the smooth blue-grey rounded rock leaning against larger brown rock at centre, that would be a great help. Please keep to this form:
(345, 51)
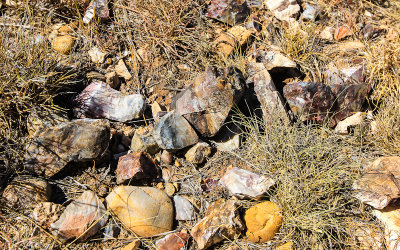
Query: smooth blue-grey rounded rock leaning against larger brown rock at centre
(174, 132)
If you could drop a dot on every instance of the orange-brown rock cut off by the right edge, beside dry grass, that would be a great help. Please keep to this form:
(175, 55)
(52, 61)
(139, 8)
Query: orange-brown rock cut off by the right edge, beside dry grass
(378, 186)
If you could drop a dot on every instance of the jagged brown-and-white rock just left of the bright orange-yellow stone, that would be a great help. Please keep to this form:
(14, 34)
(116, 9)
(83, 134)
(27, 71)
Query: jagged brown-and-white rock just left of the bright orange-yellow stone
(221, 222)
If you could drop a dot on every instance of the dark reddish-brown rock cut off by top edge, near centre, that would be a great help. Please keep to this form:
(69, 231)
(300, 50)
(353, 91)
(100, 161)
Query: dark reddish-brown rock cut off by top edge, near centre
(228, 11)
